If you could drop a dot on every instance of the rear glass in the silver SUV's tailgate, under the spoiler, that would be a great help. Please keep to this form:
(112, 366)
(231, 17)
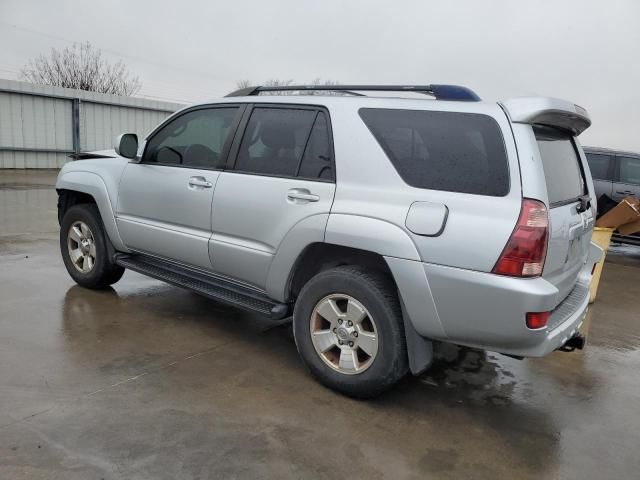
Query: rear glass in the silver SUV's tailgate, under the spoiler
(561, 165)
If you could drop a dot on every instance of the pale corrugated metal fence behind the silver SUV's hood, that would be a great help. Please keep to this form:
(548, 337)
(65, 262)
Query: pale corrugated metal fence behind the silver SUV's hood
(41, 125)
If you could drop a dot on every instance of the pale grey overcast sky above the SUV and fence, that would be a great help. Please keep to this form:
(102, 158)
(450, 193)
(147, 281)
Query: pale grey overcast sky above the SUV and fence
(582, 50)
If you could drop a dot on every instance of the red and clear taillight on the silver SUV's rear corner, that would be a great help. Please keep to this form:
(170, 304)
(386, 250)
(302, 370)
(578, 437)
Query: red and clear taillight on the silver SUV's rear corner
(527, 247)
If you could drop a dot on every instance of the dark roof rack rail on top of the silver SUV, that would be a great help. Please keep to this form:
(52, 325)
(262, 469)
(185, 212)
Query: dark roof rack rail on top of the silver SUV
(439, 92)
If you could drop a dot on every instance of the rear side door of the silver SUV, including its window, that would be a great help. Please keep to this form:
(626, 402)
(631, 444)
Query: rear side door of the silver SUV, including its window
(283, 173)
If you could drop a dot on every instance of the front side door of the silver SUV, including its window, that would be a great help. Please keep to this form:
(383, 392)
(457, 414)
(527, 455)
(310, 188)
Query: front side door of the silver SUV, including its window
(164, 202)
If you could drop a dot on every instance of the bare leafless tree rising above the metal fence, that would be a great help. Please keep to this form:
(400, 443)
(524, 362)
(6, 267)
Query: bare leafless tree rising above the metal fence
(82, 67)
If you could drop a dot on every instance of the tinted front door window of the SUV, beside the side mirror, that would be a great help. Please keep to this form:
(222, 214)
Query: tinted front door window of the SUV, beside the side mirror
(195, 139)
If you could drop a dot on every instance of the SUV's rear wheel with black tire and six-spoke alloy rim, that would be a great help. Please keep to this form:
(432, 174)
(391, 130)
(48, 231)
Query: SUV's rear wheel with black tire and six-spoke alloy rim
(351, 288)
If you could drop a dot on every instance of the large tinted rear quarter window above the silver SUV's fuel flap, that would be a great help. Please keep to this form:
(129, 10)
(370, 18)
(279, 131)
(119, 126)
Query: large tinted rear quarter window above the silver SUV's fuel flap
(456, 152)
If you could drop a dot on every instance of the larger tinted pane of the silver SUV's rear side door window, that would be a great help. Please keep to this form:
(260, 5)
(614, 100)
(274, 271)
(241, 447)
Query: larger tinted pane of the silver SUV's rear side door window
(274, 141)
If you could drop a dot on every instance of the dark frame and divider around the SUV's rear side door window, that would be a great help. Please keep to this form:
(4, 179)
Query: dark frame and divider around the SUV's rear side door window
(232, 158)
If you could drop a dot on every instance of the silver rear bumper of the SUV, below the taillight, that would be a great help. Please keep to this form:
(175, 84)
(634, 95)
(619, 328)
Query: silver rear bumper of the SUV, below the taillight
(488, 311)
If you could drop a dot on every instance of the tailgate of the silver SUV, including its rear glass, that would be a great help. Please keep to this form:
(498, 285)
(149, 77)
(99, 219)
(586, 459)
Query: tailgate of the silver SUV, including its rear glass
(569, 226)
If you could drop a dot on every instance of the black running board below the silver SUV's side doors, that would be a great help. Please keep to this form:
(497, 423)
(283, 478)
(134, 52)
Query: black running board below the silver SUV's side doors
(209, 286)
